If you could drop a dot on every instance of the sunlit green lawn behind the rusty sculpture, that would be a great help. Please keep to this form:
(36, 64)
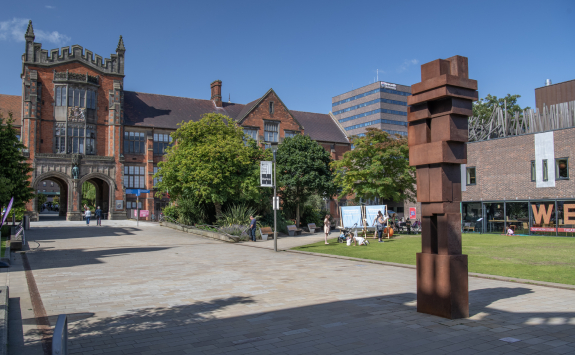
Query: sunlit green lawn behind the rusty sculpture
(549, 259)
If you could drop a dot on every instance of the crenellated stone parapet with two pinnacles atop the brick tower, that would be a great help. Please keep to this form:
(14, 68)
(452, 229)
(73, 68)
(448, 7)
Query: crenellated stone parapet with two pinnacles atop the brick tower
(35, 55)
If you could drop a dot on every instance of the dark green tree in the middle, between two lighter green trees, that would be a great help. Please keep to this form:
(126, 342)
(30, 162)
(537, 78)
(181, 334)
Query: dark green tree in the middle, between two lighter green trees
(303, 169)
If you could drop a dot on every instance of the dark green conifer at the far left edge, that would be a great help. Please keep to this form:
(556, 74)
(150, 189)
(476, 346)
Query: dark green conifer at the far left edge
(14, 169)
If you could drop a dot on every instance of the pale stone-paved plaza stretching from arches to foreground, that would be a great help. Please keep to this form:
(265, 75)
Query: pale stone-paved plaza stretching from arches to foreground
(154, 290)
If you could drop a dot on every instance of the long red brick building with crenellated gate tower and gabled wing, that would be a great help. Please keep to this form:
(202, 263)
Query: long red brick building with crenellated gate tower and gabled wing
(80, 125)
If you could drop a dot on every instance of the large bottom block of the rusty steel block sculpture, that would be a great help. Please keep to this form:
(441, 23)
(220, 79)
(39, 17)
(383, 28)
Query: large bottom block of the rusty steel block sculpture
(442, 285)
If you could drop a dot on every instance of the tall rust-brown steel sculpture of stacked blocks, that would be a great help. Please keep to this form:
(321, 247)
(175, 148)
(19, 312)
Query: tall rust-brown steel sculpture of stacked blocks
(437, 132)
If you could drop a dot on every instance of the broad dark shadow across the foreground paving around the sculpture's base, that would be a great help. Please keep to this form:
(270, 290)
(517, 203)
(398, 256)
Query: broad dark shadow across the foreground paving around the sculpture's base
(385, 324)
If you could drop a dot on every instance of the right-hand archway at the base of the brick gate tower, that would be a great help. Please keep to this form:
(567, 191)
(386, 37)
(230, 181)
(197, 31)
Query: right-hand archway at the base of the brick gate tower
(103, 192)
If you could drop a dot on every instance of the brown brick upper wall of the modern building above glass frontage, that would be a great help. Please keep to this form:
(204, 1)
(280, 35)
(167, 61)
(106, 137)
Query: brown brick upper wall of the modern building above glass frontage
(503, 168)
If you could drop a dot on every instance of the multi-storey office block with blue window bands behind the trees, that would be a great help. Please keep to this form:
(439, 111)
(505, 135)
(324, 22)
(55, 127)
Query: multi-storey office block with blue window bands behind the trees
(381, 105)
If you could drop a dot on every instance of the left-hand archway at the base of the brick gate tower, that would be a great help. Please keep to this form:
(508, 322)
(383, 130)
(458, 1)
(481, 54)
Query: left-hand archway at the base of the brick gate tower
(45, 185)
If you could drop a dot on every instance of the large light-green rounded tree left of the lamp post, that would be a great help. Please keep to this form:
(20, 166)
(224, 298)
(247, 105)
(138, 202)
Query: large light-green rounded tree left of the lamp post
(211, 163)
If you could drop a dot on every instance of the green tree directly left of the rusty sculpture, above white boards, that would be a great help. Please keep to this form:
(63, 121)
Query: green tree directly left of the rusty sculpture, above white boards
(378, 166)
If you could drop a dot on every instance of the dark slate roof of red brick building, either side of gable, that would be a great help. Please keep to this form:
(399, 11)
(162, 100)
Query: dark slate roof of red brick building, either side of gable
(161, 111)
